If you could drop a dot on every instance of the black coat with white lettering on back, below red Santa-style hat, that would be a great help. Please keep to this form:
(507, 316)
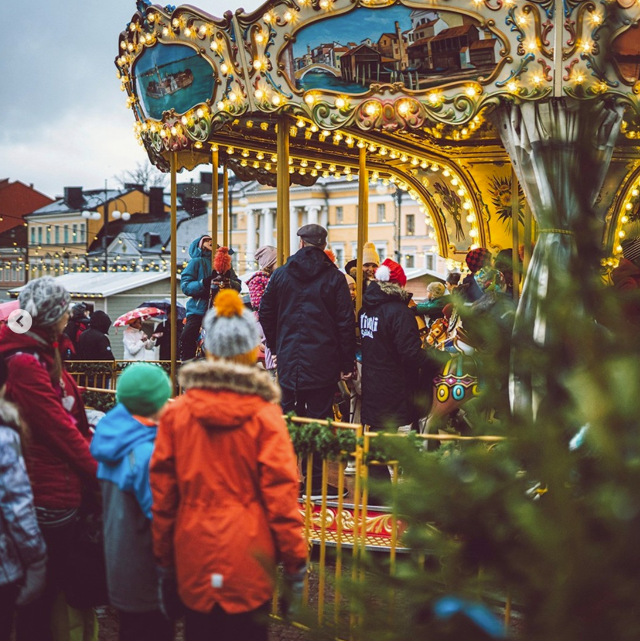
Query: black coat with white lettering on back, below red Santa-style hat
(392, 356)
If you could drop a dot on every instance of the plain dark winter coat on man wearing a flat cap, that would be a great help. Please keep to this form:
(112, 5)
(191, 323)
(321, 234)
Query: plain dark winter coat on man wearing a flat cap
(307, 317)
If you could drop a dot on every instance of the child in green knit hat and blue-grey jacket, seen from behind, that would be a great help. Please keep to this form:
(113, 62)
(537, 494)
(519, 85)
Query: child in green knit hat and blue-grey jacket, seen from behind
(123, 445)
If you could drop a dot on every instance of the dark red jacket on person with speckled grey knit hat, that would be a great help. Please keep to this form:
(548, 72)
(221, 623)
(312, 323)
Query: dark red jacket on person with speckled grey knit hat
(58, 457)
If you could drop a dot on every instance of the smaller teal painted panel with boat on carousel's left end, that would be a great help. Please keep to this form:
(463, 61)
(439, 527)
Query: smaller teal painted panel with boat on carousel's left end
(172, 76)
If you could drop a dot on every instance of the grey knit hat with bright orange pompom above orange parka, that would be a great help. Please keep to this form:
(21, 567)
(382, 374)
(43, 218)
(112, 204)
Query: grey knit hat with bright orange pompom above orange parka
(230, 328)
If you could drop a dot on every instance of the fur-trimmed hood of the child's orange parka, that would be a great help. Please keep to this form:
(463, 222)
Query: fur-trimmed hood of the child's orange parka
(224, 395)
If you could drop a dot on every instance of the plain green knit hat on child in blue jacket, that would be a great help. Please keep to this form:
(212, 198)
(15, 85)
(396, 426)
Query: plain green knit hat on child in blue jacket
(143, 388)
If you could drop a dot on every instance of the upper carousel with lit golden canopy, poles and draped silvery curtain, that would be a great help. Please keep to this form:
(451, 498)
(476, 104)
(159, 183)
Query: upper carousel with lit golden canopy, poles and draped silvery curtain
(513, 123)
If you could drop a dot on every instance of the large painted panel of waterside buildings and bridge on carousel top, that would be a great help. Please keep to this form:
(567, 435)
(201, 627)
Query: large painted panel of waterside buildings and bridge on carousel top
(420, 48)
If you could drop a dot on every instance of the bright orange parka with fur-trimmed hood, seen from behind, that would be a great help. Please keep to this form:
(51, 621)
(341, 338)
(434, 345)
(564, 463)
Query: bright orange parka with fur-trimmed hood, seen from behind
(225, 484)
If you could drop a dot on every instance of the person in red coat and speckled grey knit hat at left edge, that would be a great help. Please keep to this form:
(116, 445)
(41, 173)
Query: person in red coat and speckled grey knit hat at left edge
(59, 462)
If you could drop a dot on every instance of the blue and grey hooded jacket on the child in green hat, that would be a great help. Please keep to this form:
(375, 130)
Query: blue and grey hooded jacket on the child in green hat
(123, 447)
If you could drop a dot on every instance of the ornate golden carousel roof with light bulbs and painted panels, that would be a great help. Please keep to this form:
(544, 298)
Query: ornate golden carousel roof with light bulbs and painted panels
(200, 85)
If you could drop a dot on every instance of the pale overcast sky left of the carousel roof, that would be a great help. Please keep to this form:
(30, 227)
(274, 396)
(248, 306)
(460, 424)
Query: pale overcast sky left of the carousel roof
(65, 118)
